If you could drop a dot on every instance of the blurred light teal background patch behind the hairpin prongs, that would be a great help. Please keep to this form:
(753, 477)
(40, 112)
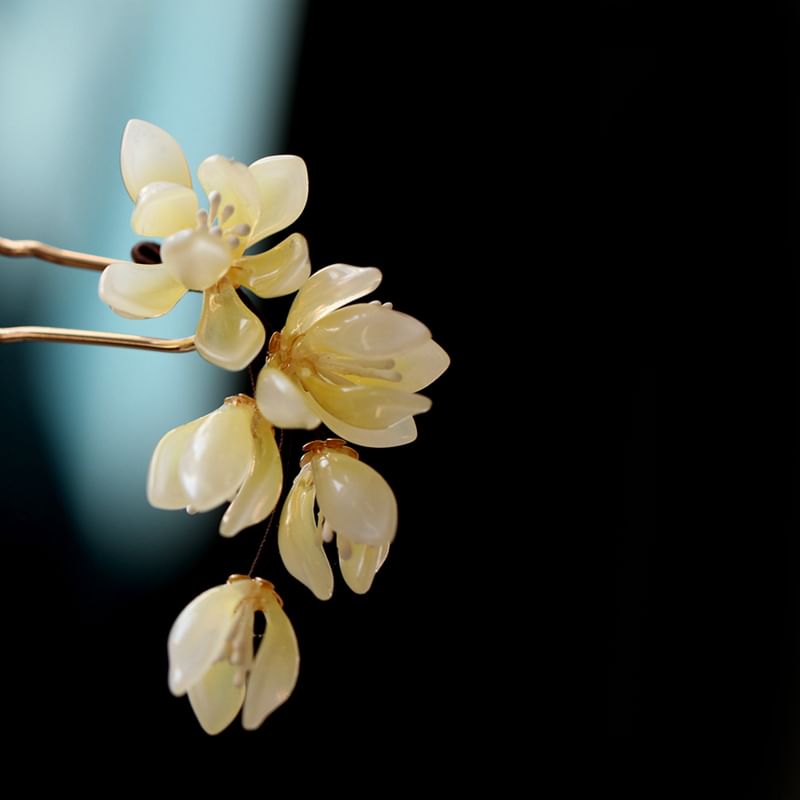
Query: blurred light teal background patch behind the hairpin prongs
(219, 78)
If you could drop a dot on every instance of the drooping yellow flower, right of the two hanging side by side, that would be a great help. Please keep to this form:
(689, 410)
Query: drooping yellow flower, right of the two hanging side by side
(355, 503)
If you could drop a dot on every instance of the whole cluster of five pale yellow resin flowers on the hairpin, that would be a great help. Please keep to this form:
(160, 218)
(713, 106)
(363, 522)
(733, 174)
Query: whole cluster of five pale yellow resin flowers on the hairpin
(356, 367)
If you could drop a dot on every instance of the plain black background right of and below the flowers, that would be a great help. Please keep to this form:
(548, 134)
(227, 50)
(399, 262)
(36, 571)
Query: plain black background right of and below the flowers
(602, 231)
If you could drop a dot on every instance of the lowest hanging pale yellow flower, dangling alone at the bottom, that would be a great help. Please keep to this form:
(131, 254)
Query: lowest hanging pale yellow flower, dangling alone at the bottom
(211, 659)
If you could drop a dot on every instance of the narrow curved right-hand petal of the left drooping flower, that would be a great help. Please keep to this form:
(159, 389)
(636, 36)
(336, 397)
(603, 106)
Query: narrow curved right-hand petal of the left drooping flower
(262, 487)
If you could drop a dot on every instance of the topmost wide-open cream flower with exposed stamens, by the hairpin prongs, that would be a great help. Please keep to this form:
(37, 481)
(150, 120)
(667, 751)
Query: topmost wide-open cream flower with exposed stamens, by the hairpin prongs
(204, 249)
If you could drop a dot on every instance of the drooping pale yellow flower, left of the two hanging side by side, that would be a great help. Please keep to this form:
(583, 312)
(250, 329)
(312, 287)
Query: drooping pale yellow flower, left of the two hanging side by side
(228, 455)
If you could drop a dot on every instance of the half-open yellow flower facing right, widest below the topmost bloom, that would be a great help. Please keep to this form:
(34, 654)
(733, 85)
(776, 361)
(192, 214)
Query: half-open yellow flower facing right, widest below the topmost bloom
(356, 368)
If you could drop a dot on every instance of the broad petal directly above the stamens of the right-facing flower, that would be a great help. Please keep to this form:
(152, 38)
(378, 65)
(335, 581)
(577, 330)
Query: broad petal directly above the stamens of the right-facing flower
(366, 329)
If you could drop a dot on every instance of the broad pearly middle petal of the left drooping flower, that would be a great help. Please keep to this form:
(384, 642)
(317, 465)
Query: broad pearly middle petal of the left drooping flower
(217, 458)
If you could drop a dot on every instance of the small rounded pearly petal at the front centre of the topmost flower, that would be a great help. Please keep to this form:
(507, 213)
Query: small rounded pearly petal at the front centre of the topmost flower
(196, 258)
